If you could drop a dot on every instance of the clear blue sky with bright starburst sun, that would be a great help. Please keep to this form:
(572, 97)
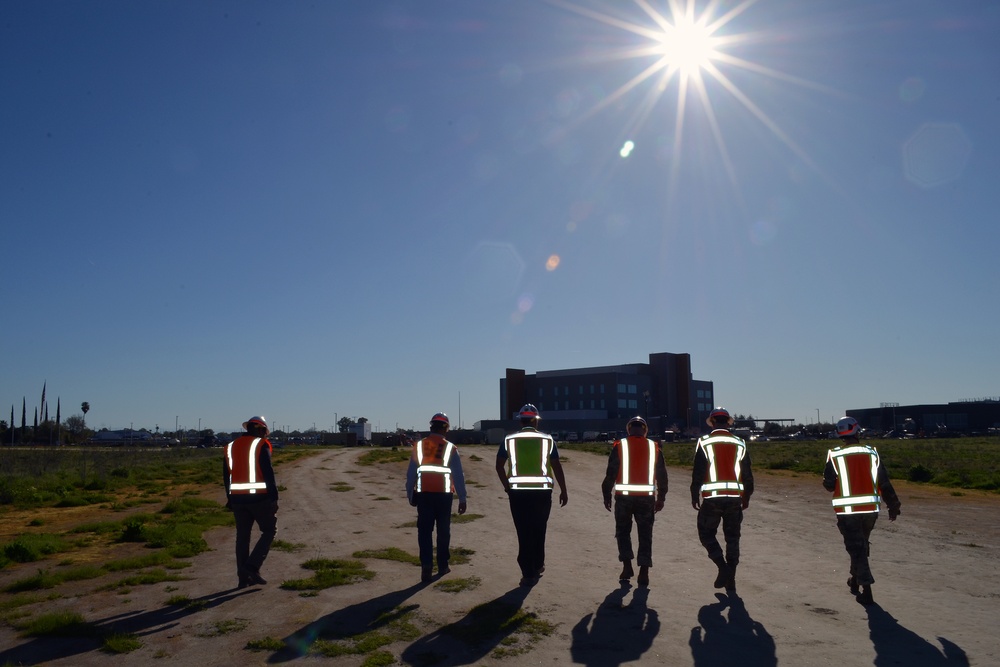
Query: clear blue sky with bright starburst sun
(306, 209)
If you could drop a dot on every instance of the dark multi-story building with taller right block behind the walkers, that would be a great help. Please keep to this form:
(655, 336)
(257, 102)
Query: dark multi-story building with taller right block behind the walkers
(604, 398)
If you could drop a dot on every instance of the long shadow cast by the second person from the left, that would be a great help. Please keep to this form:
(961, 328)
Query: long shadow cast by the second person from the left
(347, 622)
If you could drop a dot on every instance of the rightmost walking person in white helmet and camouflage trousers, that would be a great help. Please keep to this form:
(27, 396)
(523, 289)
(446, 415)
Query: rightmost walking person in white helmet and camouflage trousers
(858, 479)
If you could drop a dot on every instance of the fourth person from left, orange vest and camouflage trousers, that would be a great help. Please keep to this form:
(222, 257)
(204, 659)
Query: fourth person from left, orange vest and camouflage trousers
(637, 474)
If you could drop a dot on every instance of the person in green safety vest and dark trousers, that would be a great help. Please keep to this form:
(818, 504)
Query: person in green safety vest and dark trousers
(526, 463)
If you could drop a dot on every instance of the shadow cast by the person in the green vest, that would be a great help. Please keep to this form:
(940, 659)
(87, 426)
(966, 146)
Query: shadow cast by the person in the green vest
(473, 636)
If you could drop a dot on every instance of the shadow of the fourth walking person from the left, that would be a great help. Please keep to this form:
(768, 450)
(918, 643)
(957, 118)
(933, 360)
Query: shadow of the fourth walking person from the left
(615, 634)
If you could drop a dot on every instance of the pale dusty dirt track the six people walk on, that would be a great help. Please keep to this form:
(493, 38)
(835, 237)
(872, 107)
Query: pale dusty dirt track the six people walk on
(937, 590)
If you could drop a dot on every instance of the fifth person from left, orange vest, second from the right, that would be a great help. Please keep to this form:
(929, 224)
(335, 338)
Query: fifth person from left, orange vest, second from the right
(721, 486)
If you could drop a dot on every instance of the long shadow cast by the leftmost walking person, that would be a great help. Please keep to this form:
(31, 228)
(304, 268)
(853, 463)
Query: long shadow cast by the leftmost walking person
(90, 635)
